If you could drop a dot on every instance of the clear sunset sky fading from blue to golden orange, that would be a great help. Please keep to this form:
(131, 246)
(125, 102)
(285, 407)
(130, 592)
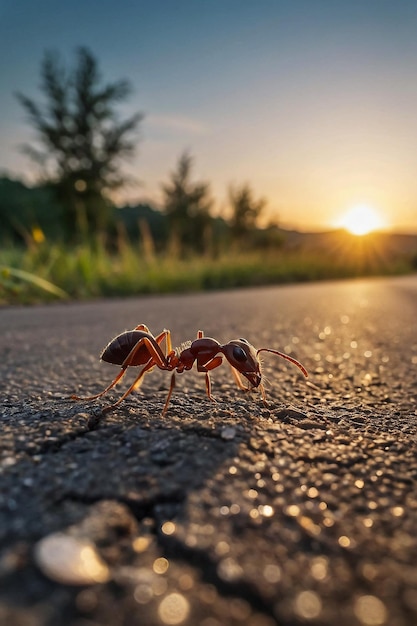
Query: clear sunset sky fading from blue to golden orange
(312, 102)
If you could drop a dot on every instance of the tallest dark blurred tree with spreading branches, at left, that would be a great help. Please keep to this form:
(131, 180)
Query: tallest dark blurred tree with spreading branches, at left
(82, 140)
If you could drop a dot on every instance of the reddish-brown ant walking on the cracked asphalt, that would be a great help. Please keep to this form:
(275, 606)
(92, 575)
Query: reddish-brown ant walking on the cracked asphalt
(139, 347)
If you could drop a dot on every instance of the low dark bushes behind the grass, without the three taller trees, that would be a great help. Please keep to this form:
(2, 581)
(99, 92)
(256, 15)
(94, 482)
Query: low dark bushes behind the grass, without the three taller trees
(32, 214)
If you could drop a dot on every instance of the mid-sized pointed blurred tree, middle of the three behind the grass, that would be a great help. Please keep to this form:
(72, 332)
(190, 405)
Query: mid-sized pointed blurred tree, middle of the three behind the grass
(187, 206)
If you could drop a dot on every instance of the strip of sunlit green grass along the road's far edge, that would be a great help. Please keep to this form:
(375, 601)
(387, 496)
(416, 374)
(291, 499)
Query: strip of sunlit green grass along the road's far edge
(48, 271)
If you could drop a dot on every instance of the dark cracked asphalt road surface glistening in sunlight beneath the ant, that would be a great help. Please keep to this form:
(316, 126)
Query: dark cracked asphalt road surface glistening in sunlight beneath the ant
(218, 514)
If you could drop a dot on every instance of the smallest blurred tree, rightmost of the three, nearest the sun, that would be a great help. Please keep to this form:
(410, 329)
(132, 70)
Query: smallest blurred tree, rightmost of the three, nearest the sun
(245, 212)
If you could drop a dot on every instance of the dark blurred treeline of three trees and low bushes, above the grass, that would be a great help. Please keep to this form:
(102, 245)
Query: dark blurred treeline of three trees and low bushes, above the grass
(81, 144)
